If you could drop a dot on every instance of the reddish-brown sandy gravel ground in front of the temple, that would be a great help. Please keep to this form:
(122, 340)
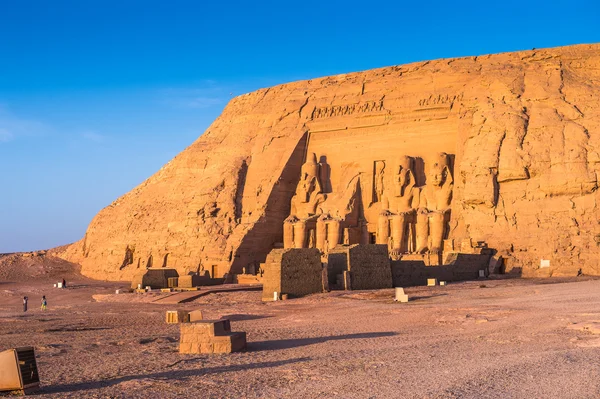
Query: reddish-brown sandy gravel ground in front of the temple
(484, 339)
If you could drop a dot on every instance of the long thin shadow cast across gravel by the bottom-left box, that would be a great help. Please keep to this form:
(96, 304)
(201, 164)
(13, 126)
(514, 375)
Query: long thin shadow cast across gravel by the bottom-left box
(171, 375)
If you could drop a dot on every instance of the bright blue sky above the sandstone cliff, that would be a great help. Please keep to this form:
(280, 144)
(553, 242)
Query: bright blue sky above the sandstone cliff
(95, 96)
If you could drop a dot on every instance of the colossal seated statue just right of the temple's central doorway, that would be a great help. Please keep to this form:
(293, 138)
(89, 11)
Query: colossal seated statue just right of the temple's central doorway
(398, 209)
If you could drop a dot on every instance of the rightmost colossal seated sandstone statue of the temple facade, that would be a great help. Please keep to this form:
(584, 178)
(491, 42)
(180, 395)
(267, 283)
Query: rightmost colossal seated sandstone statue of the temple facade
(434, 206)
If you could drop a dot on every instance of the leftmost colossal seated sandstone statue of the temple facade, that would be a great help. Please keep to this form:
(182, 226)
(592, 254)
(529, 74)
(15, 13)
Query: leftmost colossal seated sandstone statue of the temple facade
(304, 205)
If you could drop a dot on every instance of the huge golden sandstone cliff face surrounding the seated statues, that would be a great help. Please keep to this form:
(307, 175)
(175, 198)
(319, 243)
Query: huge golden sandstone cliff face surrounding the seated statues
(521, 132)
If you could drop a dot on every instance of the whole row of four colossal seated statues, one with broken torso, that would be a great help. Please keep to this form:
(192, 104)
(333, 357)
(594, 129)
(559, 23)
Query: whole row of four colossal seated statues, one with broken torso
(411, 218)
